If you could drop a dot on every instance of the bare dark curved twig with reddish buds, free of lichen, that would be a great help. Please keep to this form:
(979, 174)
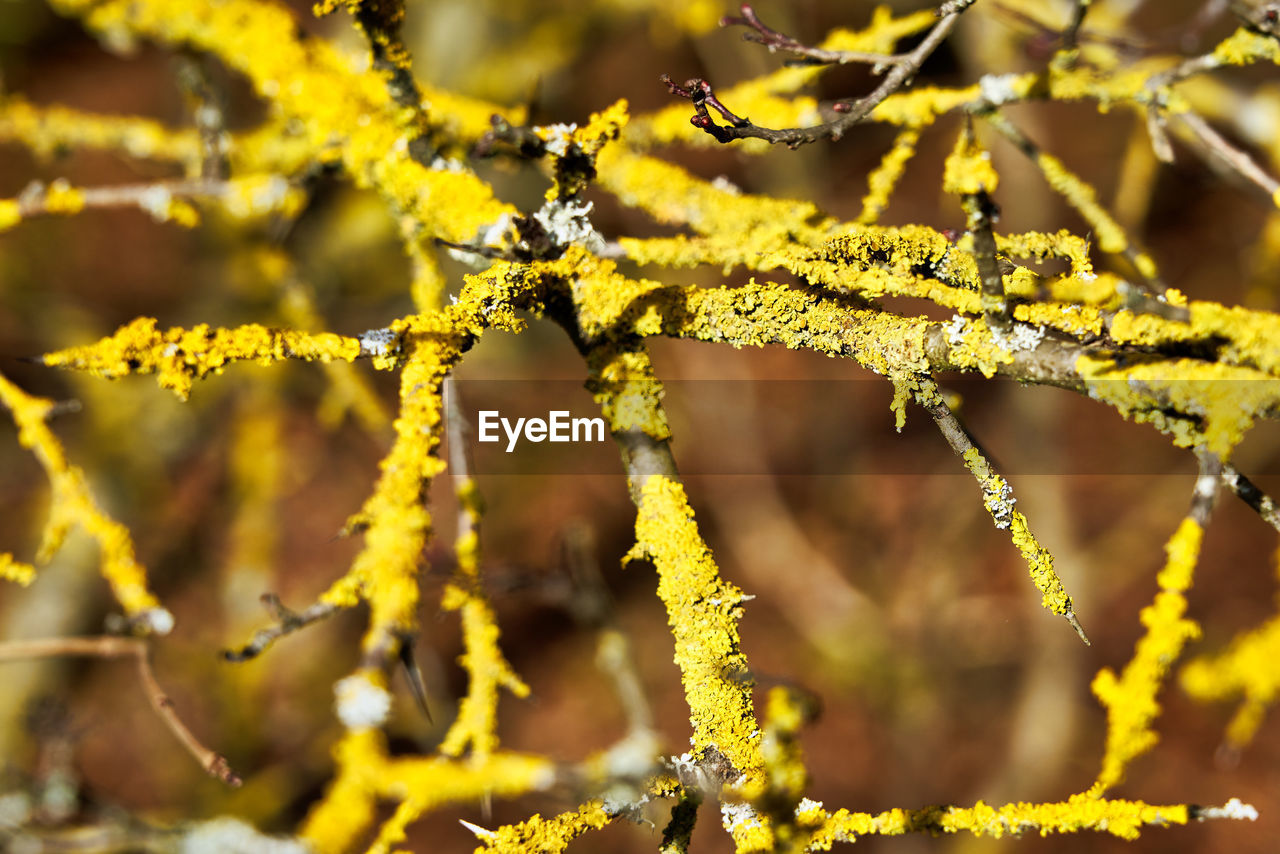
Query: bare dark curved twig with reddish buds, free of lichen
(852, 112)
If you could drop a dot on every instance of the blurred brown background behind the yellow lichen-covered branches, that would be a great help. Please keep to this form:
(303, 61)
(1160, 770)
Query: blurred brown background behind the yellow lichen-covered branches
(883, 588)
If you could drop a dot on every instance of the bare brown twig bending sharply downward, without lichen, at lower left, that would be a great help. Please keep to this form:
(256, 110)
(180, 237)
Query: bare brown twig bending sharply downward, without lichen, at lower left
(112, 647)
